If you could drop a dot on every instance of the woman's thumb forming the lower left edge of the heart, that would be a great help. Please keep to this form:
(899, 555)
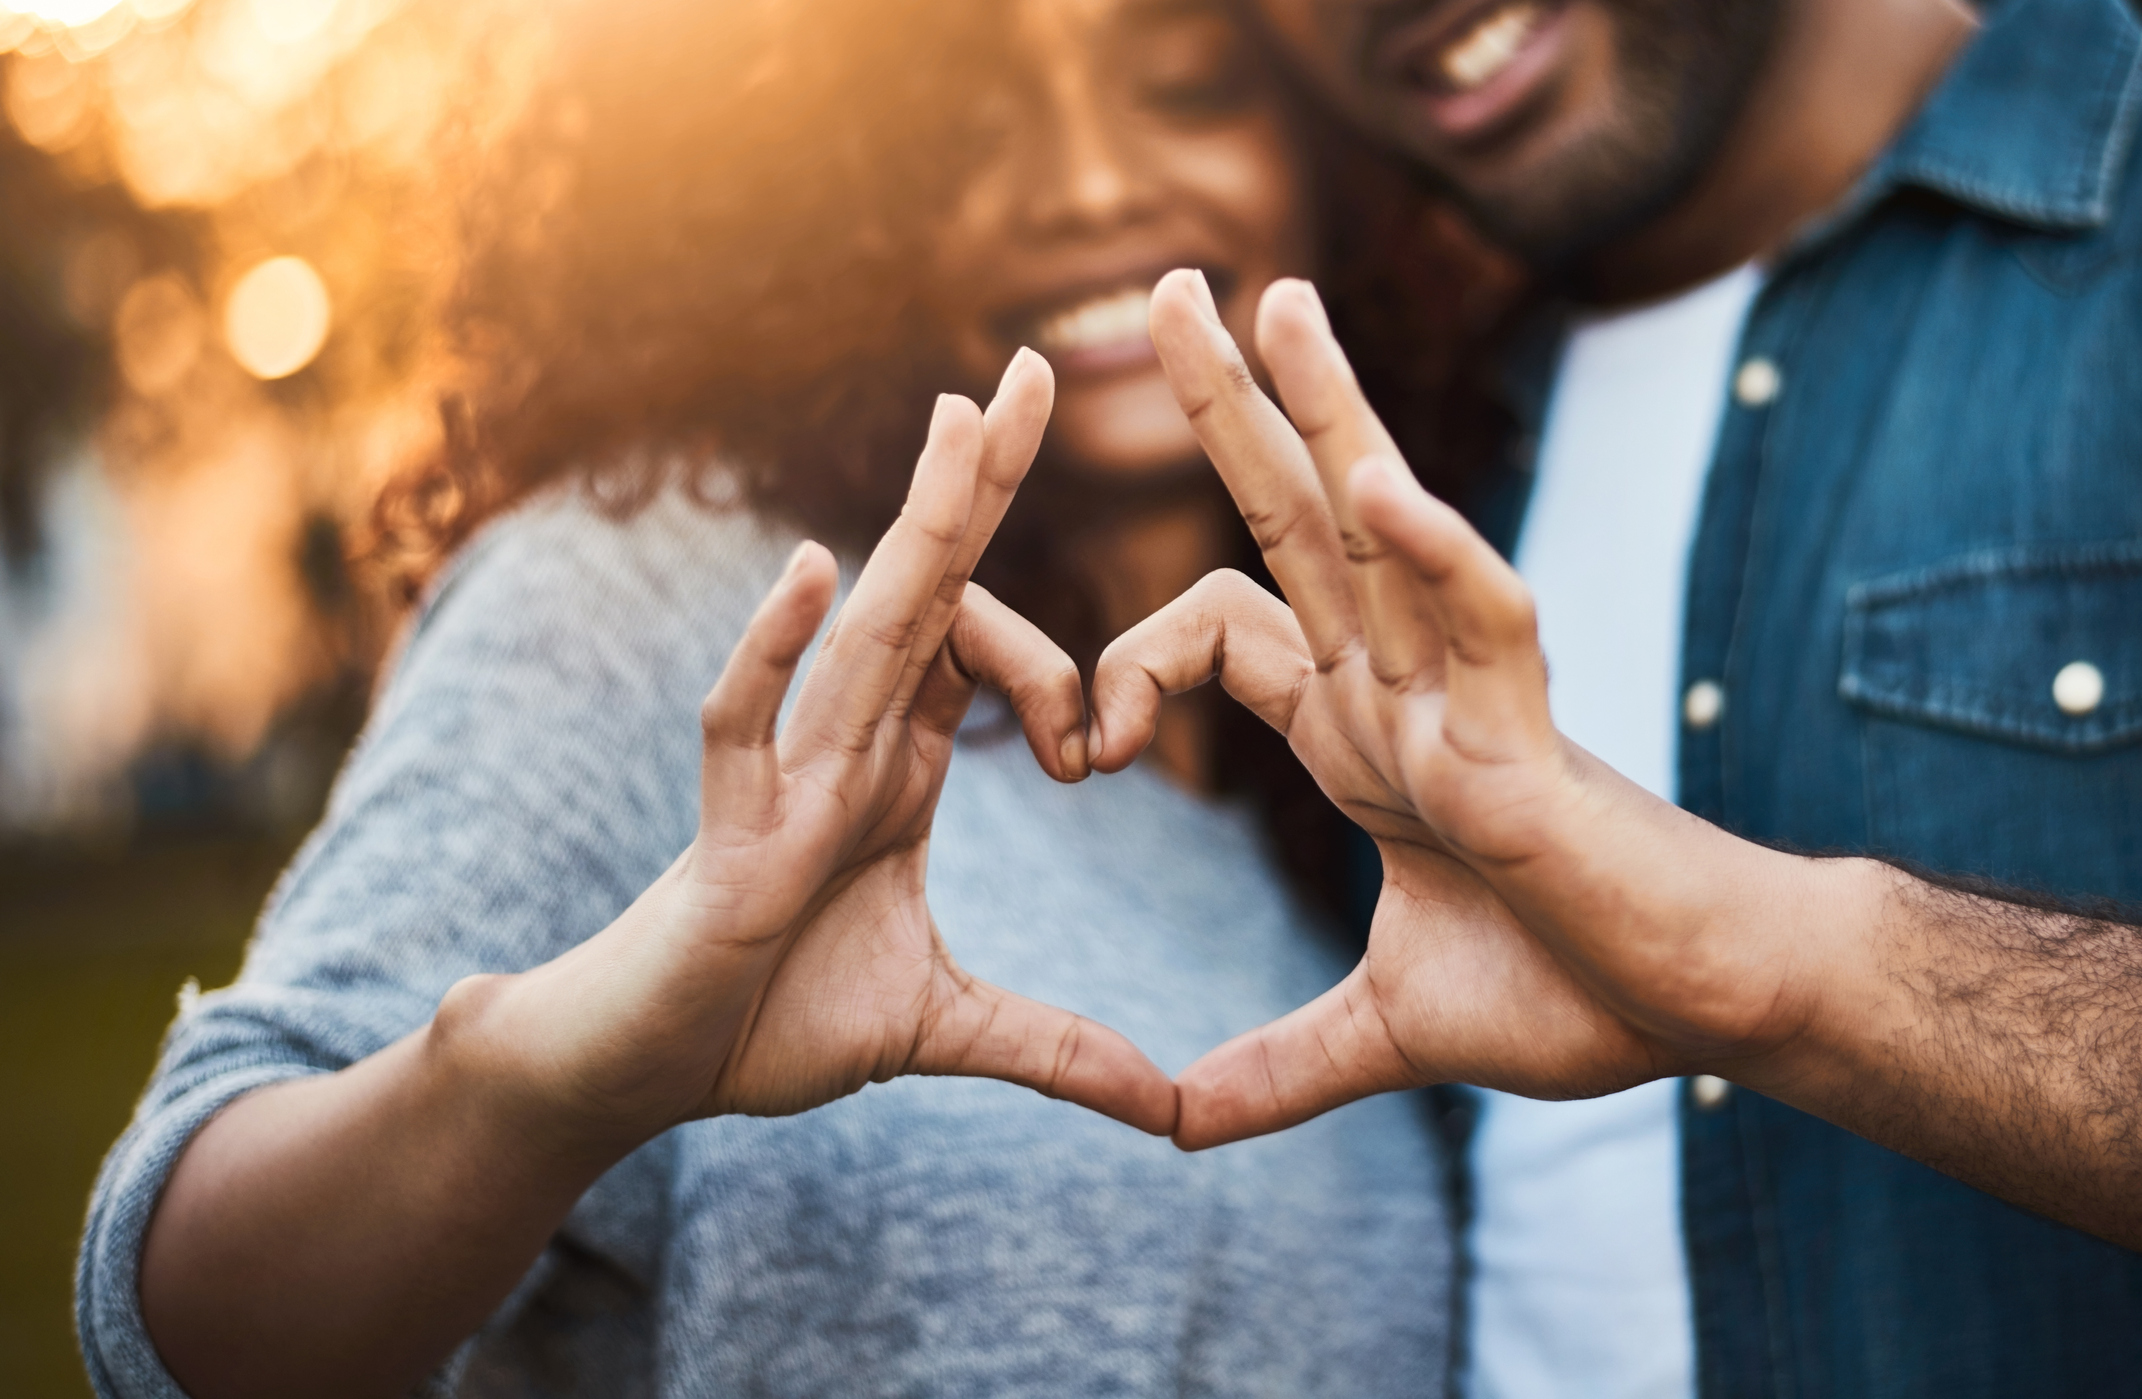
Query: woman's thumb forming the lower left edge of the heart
(986, 1032)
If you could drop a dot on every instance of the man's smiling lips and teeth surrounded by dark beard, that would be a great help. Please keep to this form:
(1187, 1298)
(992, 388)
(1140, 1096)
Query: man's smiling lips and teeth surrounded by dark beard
(1477, 76)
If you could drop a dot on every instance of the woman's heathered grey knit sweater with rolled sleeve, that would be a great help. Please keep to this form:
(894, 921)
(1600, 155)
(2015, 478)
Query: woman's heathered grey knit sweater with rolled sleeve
(534, 764)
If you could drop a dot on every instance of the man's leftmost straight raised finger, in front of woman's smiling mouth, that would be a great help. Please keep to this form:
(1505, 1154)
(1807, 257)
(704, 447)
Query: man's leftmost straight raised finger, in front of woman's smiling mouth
(1263, 460)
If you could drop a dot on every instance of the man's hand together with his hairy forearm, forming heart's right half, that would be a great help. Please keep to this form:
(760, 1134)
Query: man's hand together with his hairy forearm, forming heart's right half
(1545, 924)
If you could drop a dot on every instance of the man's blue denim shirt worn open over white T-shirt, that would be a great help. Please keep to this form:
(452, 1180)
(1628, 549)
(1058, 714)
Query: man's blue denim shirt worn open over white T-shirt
(1927, 502)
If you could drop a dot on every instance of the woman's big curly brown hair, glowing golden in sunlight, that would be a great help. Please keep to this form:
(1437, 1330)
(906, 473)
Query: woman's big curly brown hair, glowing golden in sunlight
(695, 260)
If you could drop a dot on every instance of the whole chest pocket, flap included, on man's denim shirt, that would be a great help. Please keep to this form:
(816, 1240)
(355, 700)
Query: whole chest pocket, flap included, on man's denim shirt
(2004, 714)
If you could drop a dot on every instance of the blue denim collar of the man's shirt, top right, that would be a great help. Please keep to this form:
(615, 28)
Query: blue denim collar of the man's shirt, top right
(2034, 121)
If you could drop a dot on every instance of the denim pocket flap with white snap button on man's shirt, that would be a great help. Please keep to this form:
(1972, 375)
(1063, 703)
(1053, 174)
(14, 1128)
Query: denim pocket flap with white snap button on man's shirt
(1976, 644)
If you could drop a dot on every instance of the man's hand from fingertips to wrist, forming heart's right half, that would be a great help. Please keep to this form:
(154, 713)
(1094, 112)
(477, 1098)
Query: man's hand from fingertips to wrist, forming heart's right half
(1541, 918)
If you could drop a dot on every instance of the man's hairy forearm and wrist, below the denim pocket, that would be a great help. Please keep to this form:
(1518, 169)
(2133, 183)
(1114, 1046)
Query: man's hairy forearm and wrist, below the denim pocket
(1995, 1038)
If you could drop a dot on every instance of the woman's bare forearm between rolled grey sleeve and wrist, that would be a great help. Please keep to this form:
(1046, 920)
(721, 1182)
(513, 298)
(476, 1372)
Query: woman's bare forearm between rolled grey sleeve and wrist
(342, 1235)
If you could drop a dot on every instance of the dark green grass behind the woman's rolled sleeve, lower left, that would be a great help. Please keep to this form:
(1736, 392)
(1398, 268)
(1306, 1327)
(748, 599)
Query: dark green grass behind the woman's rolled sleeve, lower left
(93, 950)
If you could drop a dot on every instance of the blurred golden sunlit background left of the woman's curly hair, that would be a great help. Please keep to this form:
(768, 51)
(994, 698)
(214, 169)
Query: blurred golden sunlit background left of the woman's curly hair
(187, 145)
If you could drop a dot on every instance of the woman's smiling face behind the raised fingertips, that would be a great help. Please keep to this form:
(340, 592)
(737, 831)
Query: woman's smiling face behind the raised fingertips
(1147, 138)
